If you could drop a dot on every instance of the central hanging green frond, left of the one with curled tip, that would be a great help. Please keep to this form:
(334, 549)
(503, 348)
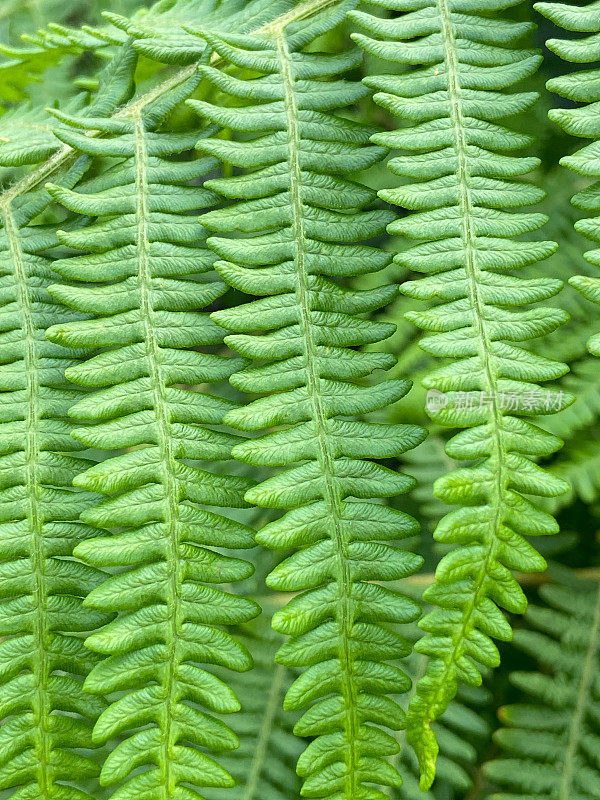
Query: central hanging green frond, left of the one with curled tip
(301, 224)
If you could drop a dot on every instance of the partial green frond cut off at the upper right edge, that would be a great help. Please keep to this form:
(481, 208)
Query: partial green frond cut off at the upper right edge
(581, 87)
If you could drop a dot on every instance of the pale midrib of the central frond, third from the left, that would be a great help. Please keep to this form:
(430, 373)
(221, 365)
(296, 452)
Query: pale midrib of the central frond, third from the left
(326, 456)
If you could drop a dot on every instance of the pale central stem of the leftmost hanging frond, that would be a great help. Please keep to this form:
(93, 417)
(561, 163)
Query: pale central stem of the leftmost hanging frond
(40, 666)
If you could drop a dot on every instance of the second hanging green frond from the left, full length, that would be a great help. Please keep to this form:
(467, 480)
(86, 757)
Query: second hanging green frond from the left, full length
(143, 250)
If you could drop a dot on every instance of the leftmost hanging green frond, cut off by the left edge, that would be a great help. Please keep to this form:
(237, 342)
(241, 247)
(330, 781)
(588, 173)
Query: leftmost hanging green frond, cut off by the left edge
(47, 720)
